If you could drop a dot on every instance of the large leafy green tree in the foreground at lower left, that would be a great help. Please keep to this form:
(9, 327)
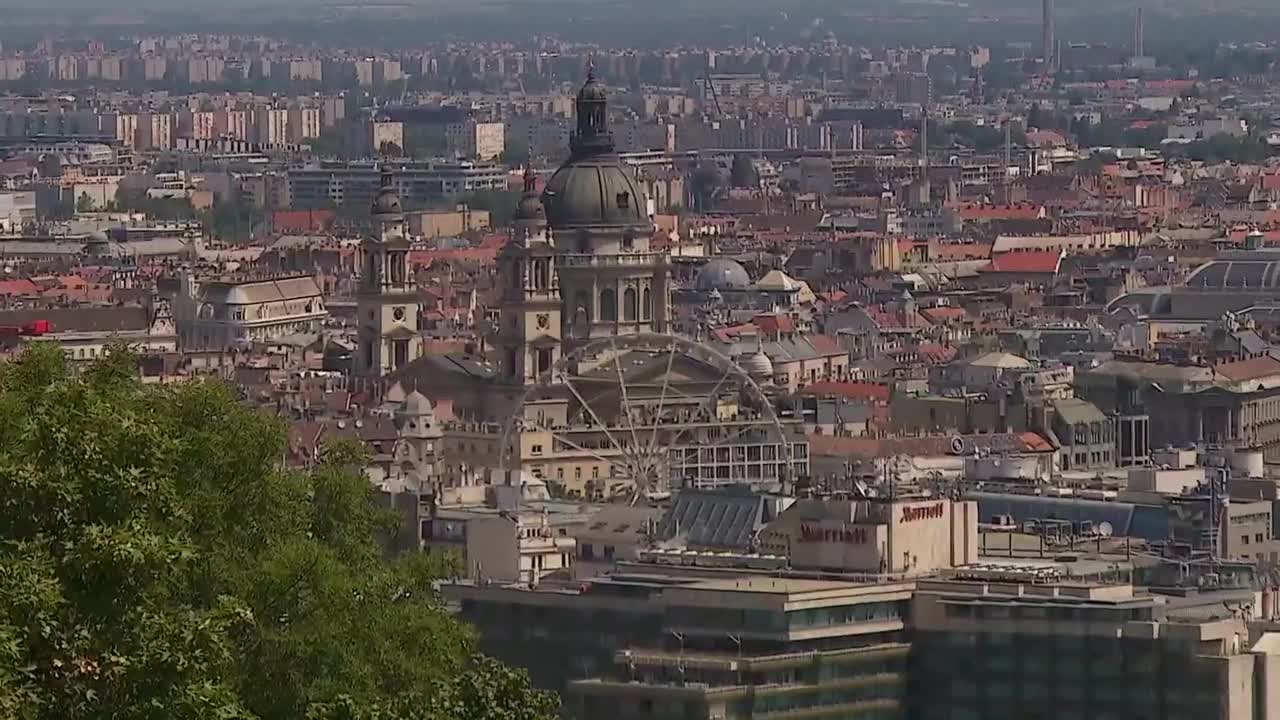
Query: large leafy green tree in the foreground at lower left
(157, 563)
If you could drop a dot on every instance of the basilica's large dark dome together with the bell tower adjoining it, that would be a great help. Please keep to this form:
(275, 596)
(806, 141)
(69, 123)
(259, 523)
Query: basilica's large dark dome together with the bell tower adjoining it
(580, 267)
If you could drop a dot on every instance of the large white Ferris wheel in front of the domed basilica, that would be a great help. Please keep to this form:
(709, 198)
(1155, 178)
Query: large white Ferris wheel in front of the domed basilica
(644, 413)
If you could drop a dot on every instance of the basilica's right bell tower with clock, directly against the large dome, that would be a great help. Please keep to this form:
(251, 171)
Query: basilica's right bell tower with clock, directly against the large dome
(529, 317)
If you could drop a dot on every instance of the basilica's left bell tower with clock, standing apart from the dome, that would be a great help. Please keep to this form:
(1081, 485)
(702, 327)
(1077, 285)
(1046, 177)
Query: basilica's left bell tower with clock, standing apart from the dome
(388, 303)
